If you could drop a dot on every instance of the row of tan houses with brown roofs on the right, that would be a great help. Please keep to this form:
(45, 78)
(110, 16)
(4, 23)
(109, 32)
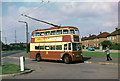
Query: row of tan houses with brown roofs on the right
(95, 40)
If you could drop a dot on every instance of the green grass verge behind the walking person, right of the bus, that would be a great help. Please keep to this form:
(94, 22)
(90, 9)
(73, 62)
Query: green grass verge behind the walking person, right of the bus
(99, 54)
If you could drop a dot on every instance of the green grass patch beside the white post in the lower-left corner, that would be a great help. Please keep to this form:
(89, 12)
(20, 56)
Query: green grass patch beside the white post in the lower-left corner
(8, 68)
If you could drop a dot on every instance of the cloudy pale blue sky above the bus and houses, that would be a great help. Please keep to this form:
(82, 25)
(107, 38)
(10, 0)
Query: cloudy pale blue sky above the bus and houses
(90, 17)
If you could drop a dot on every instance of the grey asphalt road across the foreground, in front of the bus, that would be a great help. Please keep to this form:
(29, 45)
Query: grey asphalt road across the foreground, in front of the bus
(59, 70)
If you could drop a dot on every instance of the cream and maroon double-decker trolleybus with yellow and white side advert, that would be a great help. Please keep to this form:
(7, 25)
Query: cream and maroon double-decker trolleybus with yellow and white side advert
(56, 43)
